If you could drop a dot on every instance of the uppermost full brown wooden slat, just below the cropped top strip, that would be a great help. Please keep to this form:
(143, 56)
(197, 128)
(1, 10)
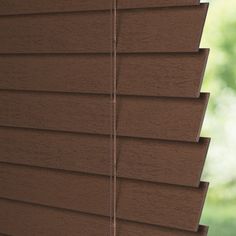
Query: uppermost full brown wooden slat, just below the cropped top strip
(173, 29)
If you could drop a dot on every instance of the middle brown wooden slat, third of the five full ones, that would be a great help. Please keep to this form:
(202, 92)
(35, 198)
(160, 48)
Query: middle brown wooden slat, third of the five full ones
(147, 117)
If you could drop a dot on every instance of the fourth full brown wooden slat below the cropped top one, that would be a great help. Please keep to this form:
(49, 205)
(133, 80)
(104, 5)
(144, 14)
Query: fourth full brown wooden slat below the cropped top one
(151, 160)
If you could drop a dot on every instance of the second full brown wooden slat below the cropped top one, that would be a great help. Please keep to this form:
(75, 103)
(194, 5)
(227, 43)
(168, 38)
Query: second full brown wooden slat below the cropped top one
(173, 75)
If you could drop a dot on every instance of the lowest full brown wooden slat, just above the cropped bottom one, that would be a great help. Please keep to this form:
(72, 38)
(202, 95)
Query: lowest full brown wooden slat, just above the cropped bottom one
(144, 202)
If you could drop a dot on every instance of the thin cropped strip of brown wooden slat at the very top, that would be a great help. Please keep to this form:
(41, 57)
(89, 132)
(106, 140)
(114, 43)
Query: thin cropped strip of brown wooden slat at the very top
(43, 6)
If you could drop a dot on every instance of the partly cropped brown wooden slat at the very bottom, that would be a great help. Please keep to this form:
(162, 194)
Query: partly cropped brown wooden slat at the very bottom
(22, 219)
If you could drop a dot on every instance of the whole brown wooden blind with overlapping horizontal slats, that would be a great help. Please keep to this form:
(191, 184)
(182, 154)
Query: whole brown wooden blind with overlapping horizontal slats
(55, 117)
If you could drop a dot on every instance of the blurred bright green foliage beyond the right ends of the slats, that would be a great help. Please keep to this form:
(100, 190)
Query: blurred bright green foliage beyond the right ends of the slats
(220, 122)
